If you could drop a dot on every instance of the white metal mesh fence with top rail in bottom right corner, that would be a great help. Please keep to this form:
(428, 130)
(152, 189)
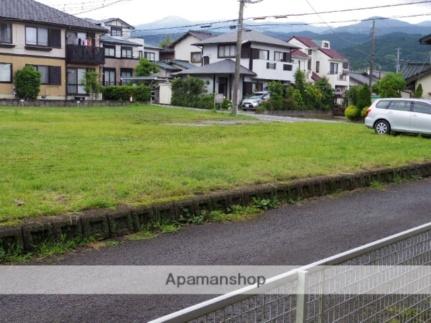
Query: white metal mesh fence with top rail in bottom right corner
(409, 248)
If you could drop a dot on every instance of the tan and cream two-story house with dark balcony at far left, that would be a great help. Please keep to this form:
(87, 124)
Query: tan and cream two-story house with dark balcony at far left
(60, 46)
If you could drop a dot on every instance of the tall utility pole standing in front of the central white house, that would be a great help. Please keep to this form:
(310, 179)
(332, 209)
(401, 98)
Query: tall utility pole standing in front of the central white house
(237, 78)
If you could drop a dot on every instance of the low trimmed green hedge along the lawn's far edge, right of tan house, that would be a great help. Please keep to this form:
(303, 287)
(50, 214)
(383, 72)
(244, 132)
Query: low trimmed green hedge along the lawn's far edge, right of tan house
(139, 93)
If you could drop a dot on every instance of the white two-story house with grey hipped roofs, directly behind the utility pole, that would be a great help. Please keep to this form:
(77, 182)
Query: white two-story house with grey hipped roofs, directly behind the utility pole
(263, 59)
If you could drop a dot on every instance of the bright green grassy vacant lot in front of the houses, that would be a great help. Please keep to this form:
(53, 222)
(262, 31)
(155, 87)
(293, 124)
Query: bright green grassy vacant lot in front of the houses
(57, 160)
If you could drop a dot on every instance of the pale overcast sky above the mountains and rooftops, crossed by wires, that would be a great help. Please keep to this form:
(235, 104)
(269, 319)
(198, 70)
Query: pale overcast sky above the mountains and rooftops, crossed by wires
(144, 11)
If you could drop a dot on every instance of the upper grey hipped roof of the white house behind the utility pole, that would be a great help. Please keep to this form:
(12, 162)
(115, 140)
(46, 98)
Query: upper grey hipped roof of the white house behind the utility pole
(248, 36)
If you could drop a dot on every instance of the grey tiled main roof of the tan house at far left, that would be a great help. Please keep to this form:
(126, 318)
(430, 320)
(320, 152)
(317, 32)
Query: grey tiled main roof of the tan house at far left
(35, 12)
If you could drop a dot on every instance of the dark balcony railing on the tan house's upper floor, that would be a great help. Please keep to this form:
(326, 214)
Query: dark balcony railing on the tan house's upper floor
(85, 55)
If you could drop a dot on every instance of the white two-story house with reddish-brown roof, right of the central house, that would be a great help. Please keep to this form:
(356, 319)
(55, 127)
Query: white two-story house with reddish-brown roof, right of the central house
(323, 61)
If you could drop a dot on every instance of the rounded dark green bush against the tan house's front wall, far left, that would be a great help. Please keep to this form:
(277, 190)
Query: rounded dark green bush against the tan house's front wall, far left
(27, 83)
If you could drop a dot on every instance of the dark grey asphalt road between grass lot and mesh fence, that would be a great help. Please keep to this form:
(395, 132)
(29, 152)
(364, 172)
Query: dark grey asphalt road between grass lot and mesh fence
(292, 235)
